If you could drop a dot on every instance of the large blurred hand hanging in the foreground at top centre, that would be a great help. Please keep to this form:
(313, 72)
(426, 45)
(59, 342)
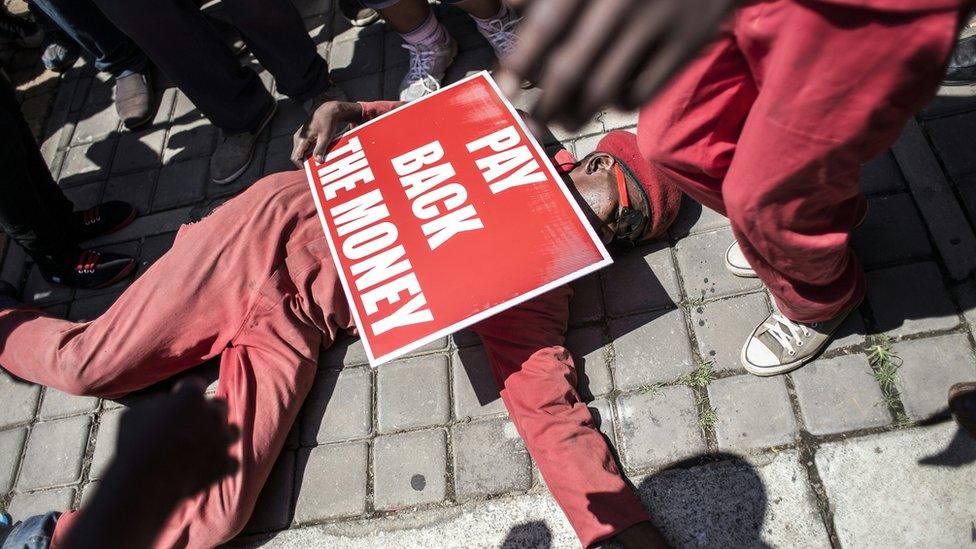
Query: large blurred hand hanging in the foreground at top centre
(588, 55)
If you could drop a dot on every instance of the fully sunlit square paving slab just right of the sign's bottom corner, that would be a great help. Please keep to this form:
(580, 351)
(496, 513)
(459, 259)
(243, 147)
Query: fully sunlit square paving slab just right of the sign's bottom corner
(413, 393)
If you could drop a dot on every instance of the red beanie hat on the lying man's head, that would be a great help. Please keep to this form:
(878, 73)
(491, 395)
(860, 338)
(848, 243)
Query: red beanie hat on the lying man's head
(662, 194)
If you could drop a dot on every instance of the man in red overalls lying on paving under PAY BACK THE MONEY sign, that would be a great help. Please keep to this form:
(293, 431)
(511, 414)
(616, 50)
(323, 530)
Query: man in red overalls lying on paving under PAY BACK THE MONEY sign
(253, 283)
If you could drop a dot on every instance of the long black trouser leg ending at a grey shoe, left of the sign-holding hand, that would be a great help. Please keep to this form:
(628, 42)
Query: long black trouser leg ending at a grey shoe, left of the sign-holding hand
(180, 41)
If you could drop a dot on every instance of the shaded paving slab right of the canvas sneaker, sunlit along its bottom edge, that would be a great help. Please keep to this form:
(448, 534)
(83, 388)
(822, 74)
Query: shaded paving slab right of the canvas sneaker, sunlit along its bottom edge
(910, 299)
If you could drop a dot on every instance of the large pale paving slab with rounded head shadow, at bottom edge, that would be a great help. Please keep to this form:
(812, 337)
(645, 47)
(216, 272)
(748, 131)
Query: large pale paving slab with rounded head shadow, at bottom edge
(759, 502)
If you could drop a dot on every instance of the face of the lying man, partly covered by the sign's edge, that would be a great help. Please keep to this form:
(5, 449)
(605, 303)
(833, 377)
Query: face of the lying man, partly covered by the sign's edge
(594, 184)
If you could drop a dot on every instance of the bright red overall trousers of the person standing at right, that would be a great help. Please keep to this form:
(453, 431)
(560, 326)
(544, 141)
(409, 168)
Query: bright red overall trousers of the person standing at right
(772, 123)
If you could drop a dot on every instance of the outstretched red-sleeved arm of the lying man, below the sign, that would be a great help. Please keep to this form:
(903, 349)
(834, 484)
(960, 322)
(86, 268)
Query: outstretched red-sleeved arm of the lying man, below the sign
(537, 381)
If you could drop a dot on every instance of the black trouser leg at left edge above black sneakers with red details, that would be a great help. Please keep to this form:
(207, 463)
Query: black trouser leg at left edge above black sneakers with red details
(33, 210)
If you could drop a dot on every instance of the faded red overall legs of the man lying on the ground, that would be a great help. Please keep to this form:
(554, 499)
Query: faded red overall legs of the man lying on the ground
(229, 287)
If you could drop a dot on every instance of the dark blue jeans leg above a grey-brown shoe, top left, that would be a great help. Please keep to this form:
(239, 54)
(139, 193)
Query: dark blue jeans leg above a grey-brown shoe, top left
(113, 51)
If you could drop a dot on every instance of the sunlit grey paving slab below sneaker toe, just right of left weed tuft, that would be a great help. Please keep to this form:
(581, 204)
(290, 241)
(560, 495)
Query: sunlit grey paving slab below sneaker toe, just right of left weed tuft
(751, 412)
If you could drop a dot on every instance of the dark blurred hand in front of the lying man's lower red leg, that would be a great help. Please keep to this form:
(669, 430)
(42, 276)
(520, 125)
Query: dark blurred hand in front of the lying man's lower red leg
(176, 445)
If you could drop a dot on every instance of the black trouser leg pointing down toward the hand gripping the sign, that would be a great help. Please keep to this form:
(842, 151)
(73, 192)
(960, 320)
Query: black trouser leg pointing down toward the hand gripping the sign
(274, 31)
